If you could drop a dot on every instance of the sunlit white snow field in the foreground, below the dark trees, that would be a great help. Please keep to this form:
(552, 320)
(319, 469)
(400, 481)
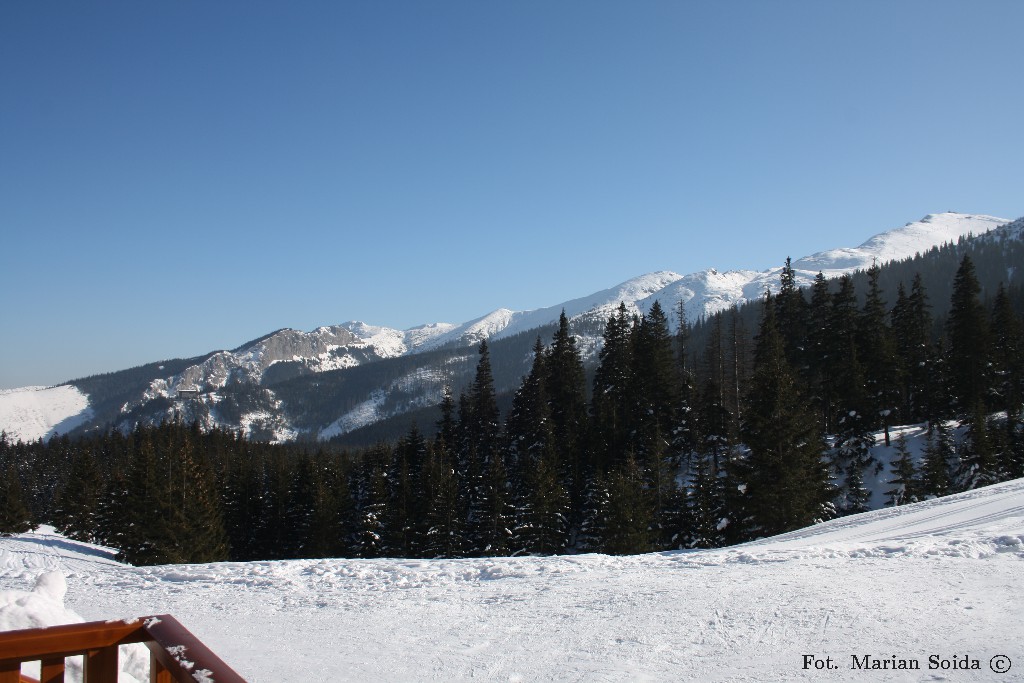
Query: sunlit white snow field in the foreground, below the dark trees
(942, 578)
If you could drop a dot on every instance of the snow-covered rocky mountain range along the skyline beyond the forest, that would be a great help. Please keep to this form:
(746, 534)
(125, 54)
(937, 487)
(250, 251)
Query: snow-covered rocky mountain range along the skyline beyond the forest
(212, 390)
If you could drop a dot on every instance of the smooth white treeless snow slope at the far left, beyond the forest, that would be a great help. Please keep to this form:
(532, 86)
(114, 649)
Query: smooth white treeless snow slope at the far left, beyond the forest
(32, 413)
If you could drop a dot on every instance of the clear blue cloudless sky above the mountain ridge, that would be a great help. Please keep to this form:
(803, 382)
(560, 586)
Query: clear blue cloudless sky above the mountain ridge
(179, 178)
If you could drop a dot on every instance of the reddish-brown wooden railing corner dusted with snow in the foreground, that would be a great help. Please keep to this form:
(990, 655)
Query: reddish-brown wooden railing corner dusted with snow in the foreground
(176, 655)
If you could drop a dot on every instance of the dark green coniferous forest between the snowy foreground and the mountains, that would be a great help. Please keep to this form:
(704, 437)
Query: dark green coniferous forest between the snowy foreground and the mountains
(663, 447)
